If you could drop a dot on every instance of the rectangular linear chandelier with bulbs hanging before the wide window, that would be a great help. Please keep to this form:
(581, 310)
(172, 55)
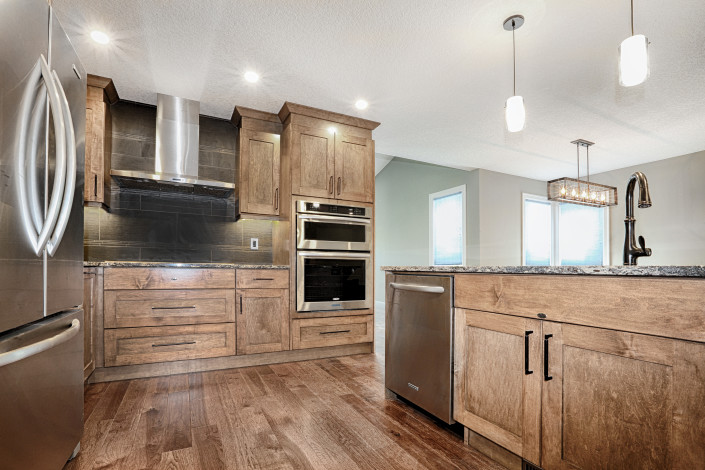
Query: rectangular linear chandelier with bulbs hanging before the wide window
(582, 192)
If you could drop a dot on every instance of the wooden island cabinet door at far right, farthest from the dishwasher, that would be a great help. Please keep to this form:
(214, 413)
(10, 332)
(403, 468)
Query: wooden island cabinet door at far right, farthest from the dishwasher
(622, 400)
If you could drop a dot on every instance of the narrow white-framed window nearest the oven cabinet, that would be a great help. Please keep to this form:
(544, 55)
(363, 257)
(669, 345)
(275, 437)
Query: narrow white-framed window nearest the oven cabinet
(447, 227)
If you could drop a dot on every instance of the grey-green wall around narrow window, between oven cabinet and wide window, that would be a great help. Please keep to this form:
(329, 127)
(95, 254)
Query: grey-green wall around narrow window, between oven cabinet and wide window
(402, 220)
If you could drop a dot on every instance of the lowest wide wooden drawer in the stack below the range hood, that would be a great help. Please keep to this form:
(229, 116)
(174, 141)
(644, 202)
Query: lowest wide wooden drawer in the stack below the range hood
(126, 346)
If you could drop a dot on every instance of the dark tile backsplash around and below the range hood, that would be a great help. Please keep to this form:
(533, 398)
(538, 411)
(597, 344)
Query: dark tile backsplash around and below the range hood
(163, 226)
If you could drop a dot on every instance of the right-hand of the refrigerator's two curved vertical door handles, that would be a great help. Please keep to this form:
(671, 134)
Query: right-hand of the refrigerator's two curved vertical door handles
(70, 176)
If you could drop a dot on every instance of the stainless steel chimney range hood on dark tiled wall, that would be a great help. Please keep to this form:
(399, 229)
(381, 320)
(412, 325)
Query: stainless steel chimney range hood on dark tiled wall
(176, 159)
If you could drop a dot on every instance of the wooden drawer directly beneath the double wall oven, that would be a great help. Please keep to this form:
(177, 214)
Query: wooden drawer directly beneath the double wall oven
(336, 331)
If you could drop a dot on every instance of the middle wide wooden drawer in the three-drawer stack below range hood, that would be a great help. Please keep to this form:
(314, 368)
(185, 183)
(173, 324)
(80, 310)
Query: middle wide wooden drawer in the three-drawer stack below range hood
(129, 308)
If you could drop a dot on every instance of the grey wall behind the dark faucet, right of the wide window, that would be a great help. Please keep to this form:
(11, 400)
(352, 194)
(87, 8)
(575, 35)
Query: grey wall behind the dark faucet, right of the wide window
(674, 226)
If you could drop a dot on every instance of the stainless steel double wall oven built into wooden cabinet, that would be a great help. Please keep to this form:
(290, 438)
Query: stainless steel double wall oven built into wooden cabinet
(333, 257)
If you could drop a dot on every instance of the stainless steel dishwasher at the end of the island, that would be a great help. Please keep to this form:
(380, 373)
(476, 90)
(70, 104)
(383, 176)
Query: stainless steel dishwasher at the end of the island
(419, 341)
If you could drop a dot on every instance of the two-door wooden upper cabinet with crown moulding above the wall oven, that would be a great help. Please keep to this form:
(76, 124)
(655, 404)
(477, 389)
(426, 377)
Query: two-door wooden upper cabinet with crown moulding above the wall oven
(330, 155)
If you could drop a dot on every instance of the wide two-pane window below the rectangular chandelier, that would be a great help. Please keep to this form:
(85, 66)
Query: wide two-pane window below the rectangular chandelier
(561, 234)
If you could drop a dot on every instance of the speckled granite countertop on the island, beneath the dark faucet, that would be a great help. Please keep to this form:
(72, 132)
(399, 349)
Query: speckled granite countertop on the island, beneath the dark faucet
(656, 271)
